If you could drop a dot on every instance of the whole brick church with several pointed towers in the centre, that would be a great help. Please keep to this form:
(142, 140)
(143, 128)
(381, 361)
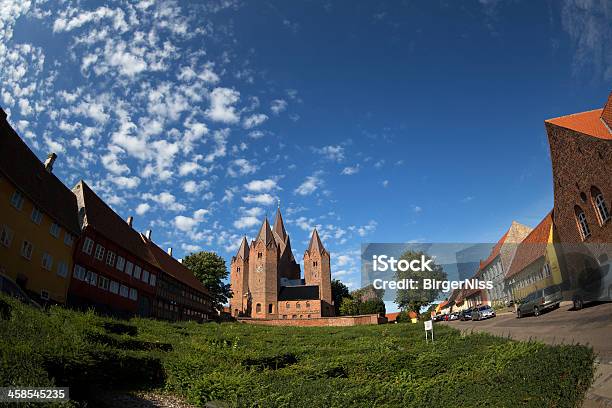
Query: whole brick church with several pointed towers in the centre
(266, 279)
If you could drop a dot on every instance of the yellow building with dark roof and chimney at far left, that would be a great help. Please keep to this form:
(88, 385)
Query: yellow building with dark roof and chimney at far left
(38, 222)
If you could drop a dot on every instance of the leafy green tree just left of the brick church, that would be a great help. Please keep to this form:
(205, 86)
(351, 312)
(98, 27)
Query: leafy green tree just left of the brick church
(210, 269)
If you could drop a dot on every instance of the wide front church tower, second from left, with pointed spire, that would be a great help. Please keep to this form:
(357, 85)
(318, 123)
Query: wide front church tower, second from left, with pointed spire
(263, 274)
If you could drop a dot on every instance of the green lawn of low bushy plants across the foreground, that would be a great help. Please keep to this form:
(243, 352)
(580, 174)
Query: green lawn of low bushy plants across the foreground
(243, 365)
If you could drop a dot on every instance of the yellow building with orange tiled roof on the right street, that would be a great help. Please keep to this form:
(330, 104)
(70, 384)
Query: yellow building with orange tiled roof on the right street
(535, 265)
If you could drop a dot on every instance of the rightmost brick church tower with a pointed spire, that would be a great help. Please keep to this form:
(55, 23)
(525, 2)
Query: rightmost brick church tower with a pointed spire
(317, 271)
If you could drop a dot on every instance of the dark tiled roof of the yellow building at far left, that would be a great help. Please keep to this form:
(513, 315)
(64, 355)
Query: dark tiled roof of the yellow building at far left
(23, 169)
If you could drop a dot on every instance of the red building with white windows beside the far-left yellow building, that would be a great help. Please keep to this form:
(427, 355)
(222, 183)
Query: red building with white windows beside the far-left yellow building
(114, 272)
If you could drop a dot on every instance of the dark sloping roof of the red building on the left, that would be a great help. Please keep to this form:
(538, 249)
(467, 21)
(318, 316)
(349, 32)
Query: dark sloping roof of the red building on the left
(107, 222)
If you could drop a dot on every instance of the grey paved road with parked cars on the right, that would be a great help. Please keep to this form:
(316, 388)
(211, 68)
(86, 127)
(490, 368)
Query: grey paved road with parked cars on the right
(591, 325)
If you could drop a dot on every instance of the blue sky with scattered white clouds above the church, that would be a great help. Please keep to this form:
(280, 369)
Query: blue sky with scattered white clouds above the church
(374, 121)
